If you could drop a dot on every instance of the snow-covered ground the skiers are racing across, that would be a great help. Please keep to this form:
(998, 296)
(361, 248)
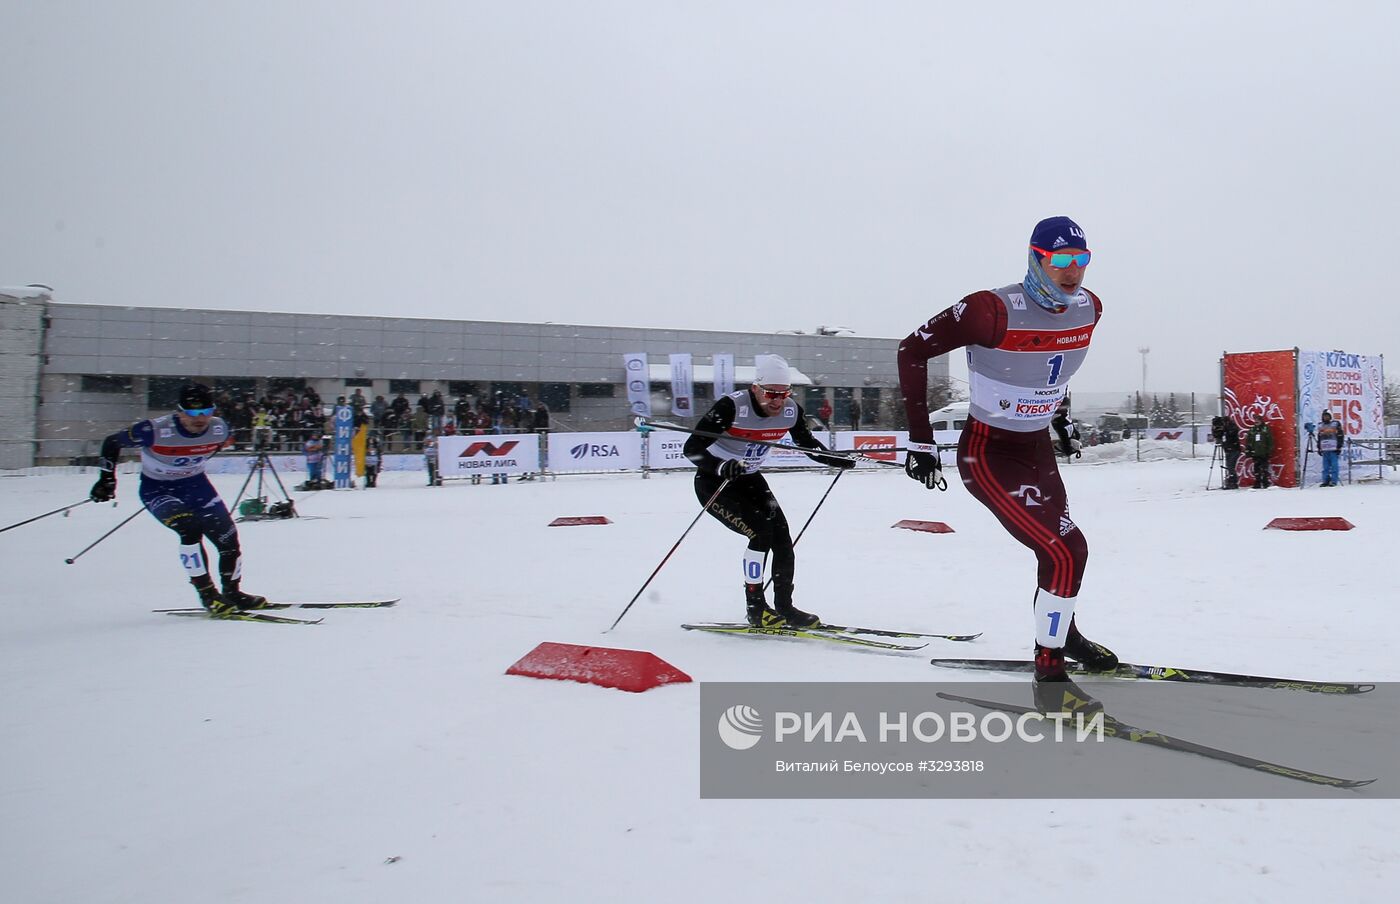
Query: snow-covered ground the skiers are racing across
(383, 756)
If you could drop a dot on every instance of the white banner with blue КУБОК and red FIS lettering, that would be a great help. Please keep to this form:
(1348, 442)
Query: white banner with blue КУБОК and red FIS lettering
(1349, 386)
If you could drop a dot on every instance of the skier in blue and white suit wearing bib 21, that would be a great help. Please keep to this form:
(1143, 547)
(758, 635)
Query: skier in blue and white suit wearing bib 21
(176, 450)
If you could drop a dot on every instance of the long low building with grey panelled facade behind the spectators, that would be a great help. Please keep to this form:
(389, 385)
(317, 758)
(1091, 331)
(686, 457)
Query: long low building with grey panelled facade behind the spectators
(75, 373)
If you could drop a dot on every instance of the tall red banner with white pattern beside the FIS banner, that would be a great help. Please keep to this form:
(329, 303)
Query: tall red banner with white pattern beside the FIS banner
(1265, 384)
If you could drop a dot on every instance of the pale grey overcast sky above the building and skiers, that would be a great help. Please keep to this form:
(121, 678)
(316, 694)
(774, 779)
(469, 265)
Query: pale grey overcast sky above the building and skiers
(722, 166)
